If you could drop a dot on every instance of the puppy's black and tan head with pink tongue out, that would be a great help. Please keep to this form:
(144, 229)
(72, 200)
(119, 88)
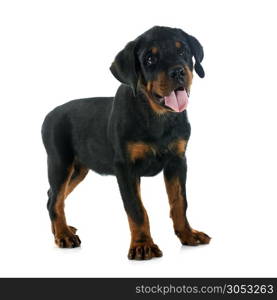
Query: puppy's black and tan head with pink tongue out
(160, 63)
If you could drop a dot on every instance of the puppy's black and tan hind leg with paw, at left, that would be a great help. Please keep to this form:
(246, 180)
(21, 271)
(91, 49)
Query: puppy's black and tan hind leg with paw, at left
(63, 178)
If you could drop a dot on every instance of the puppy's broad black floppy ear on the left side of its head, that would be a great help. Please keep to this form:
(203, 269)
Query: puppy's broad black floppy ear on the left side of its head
(124, 68)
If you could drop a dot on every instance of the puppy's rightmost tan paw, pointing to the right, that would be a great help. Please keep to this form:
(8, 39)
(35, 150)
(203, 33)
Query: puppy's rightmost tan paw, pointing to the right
(193, 237)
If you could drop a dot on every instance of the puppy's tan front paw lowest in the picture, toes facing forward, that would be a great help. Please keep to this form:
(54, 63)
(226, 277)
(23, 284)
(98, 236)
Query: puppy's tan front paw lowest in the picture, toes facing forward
(144, 251)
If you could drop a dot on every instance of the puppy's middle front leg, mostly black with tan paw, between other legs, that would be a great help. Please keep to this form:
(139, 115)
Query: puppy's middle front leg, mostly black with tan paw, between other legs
(142, 246)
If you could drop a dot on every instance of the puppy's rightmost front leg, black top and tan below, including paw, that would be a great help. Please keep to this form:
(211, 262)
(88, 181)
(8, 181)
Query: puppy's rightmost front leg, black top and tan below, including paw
(175, 174)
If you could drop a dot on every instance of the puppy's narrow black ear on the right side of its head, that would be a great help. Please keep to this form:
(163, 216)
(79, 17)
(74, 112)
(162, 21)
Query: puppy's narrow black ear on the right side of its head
(198, 53)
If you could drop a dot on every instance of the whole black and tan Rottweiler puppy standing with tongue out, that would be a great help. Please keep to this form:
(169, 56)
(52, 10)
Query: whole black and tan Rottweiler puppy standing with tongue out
(142, 130)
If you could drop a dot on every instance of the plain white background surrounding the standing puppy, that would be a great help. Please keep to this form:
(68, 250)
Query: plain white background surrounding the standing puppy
(55, 51)
